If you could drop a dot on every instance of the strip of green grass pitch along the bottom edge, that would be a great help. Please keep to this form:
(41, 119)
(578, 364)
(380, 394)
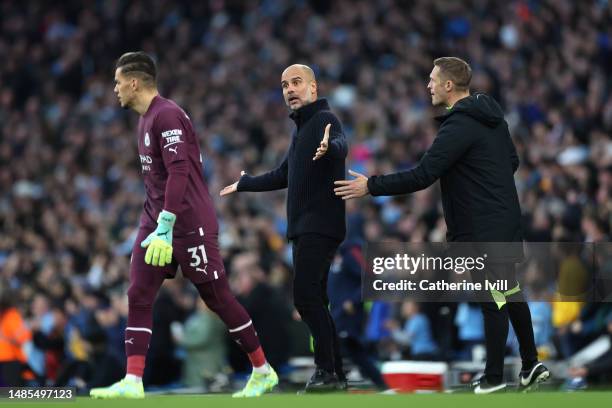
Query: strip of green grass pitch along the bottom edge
(510, 400)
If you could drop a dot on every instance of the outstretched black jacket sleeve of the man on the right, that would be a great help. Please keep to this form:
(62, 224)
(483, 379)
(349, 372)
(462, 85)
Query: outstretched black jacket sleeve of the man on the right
(450, 144)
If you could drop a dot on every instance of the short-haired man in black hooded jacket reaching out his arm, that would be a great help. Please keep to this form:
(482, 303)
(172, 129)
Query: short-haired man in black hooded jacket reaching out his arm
(475, 159)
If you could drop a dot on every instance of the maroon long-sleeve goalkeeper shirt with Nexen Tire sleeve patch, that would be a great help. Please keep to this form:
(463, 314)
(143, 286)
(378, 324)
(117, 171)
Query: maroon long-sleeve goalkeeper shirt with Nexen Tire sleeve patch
(172, 168)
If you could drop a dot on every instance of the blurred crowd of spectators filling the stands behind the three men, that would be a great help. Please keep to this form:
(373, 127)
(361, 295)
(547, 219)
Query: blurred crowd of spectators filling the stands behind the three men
(71, 192)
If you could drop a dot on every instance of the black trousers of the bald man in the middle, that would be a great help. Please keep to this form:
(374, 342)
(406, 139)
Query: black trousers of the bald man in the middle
(312, 257)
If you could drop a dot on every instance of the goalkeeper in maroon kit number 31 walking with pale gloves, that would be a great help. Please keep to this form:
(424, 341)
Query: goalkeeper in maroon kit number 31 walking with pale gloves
(178, 227)
